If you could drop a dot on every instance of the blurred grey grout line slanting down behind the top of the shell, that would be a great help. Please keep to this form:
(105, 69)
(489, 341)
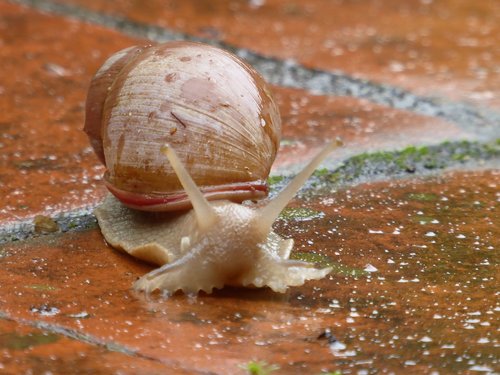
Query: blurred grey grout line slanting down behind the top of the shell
(289, 73)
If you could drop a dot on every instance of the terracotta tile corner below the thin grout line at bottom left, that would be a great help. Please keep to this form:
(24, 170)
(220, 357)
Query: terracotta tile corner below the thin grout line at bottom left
(28, 350)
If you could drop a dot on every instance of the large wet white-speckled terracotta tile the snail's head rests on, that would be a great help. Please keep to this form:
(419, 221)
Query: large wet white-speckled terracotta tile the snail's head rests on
(413, 288)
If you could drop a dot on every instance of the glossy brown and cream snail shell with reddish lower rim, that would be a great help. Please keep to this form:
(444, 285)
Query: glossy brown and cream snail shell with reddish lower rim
(211, 107)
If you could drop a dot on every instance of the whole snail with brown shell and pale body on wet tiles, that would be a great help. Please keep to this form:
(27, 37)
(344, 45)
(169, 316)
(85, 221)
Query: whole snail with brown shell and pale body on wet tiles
(188, 132)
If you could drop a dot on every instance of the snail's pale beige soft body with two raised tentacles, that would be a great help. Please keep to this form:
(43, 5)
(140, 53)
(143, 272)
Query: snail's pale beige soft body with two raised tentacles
(216, 243)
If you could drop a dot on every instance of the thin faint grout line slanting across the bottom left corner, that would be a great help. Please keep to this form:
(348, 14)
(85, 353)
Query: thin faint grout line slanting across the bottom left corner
(89, 339)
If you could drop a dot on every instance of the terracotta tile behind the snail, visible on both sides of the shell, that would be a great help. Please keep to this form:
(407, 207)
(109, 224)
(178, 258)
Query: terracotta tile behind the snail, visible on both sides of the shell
(47, 165)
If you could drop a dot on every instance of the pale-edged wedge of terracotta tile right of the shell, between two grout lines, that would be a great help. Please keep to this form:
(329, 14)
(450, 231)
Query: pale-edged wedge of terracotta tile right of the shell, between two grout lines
(310, 120)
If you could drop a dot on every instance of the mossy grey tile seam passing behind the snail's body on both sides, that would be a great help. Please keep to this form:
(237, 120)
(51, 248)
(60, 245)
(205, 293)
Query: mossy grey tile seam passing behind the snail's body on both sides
(411, 162)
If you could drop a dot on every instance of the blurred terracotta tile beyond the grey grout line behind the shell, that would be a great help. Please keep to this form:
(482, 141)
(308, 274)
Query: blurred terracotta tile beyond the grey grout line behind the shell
(435, 48)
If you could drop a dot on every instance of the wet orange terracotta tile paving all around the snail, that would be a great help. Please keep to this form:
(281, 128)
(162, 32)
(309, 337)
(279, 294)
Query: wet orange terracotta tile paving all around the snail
(415, 261)
